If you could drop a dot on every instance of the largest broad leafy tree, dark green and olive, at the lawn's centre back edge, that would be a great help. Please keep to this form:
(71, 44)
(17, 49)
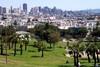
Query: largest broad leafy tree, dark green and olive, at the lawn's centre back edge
(46, 32)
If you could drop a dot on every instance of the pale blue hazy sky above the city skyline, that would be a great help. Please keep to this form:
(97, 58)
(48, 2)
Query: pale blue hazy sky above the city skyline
(61, 4)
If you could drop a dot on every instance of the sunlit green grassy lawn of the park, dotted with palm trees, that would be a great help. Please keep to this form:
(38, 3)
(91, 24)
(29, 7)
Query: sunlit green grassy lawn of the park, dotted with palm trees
(32, 58)
